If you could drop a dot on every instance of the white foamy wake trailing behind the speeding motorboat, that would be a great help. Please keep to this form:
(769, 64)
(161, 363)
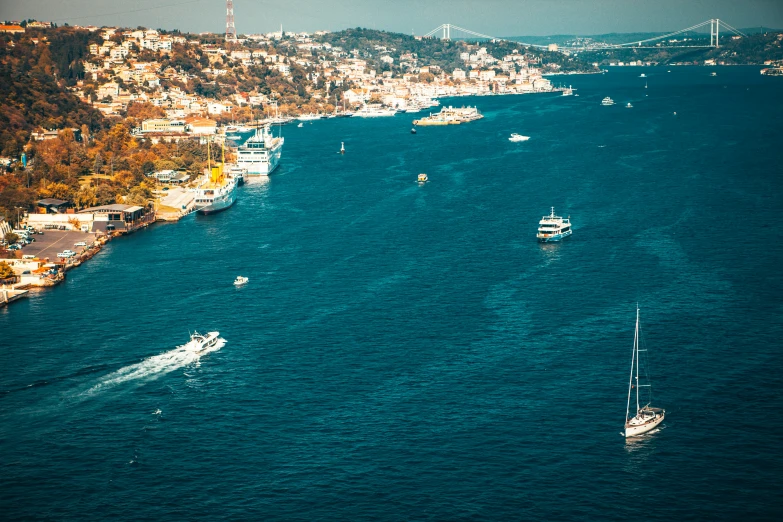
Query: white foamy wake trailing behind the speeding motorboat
(153, 367)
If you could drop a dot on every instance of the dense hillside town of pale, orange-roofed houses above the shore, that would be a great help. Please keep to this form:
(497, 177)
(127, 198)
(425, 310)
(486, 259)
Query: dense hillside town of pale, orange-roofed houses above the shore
(199, 85)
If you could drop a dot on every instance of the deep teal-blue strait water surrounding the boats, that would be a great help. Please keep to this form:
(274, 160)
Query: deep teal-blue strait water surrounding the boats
(409, 352)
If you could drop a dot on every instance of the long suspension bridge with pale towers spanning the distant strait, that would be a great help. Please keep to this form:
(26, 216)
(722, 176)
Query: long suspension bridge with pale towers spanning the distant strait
(444, 31)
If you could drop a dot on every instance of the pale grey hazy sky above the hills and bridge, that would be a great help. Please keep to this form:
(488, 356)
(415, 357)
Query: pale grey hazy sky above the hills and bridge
(493, 17)
